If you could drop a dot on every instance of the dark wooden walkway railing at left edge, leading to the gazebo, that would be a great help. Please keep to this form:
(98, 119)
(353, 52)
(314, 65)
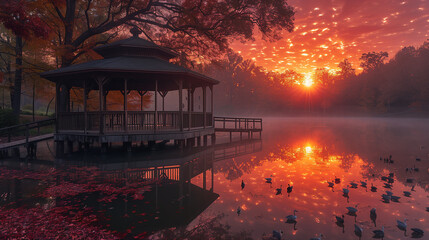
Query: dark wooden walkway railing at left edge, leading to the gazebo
(25, 131)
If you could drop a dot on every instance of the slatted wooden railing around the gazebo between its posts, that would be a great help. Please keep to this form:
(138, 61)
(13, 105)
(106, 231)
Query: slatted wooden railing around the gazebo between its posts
(114, 121)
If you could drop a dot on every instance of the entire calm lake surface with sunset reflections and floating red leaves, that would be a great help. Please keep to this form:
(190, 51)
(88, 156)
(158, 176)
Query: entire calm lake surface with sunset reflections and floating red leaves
(193, 194)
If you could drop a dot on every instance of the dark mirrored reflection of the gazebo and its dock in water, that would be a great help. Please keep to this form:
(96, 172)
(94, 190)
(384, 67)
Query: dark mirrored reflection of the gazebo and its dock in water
(176, 201)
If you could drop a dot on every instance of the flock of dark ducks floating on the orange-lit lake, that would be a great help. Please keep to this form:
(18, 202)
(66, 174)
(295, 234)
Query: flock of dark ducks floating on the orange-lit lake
(352, 211)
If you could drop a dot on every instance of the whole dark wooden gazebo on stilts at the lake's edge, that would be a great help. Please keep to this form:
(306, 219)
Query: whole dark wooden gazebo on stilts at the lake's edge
(132, 64)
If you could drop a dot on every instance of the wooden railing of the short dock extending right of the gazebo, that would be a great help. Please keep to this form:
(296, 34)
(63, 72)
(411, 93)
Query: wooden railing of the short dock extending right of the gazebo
(239, 124)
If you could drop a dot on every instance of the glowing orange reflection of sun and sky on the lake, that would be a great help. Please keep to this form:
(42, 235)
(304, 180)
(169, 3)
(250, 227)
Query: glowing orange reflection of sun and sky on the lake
(308, 168)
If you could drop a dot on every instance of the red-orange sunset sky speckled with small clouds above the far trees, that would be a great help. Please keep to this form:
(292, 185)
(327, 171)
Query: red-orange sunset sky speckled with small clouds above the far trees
(327, 31)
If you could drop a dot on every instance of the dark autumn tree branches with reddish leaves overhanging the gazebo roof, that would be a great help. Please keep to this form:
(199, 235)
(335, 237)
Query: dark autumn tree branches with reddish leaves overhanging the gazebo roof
(189, 25)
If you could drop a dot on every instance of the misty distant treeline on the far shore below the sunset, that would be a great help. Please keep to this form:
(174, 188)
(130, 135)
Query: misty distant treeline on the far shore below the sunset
(399, 86)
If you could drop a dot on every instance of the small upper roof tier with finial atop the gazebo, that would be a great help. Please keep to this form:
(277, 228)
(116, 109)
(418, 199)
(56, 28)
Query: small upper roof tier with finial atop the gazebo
(135, 47)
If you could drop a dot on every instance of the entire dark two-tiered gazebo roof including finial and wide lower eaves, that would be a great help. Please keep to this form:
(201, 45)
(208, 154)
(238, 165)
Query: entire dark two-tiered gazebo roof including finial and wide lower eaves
(133, 58)
